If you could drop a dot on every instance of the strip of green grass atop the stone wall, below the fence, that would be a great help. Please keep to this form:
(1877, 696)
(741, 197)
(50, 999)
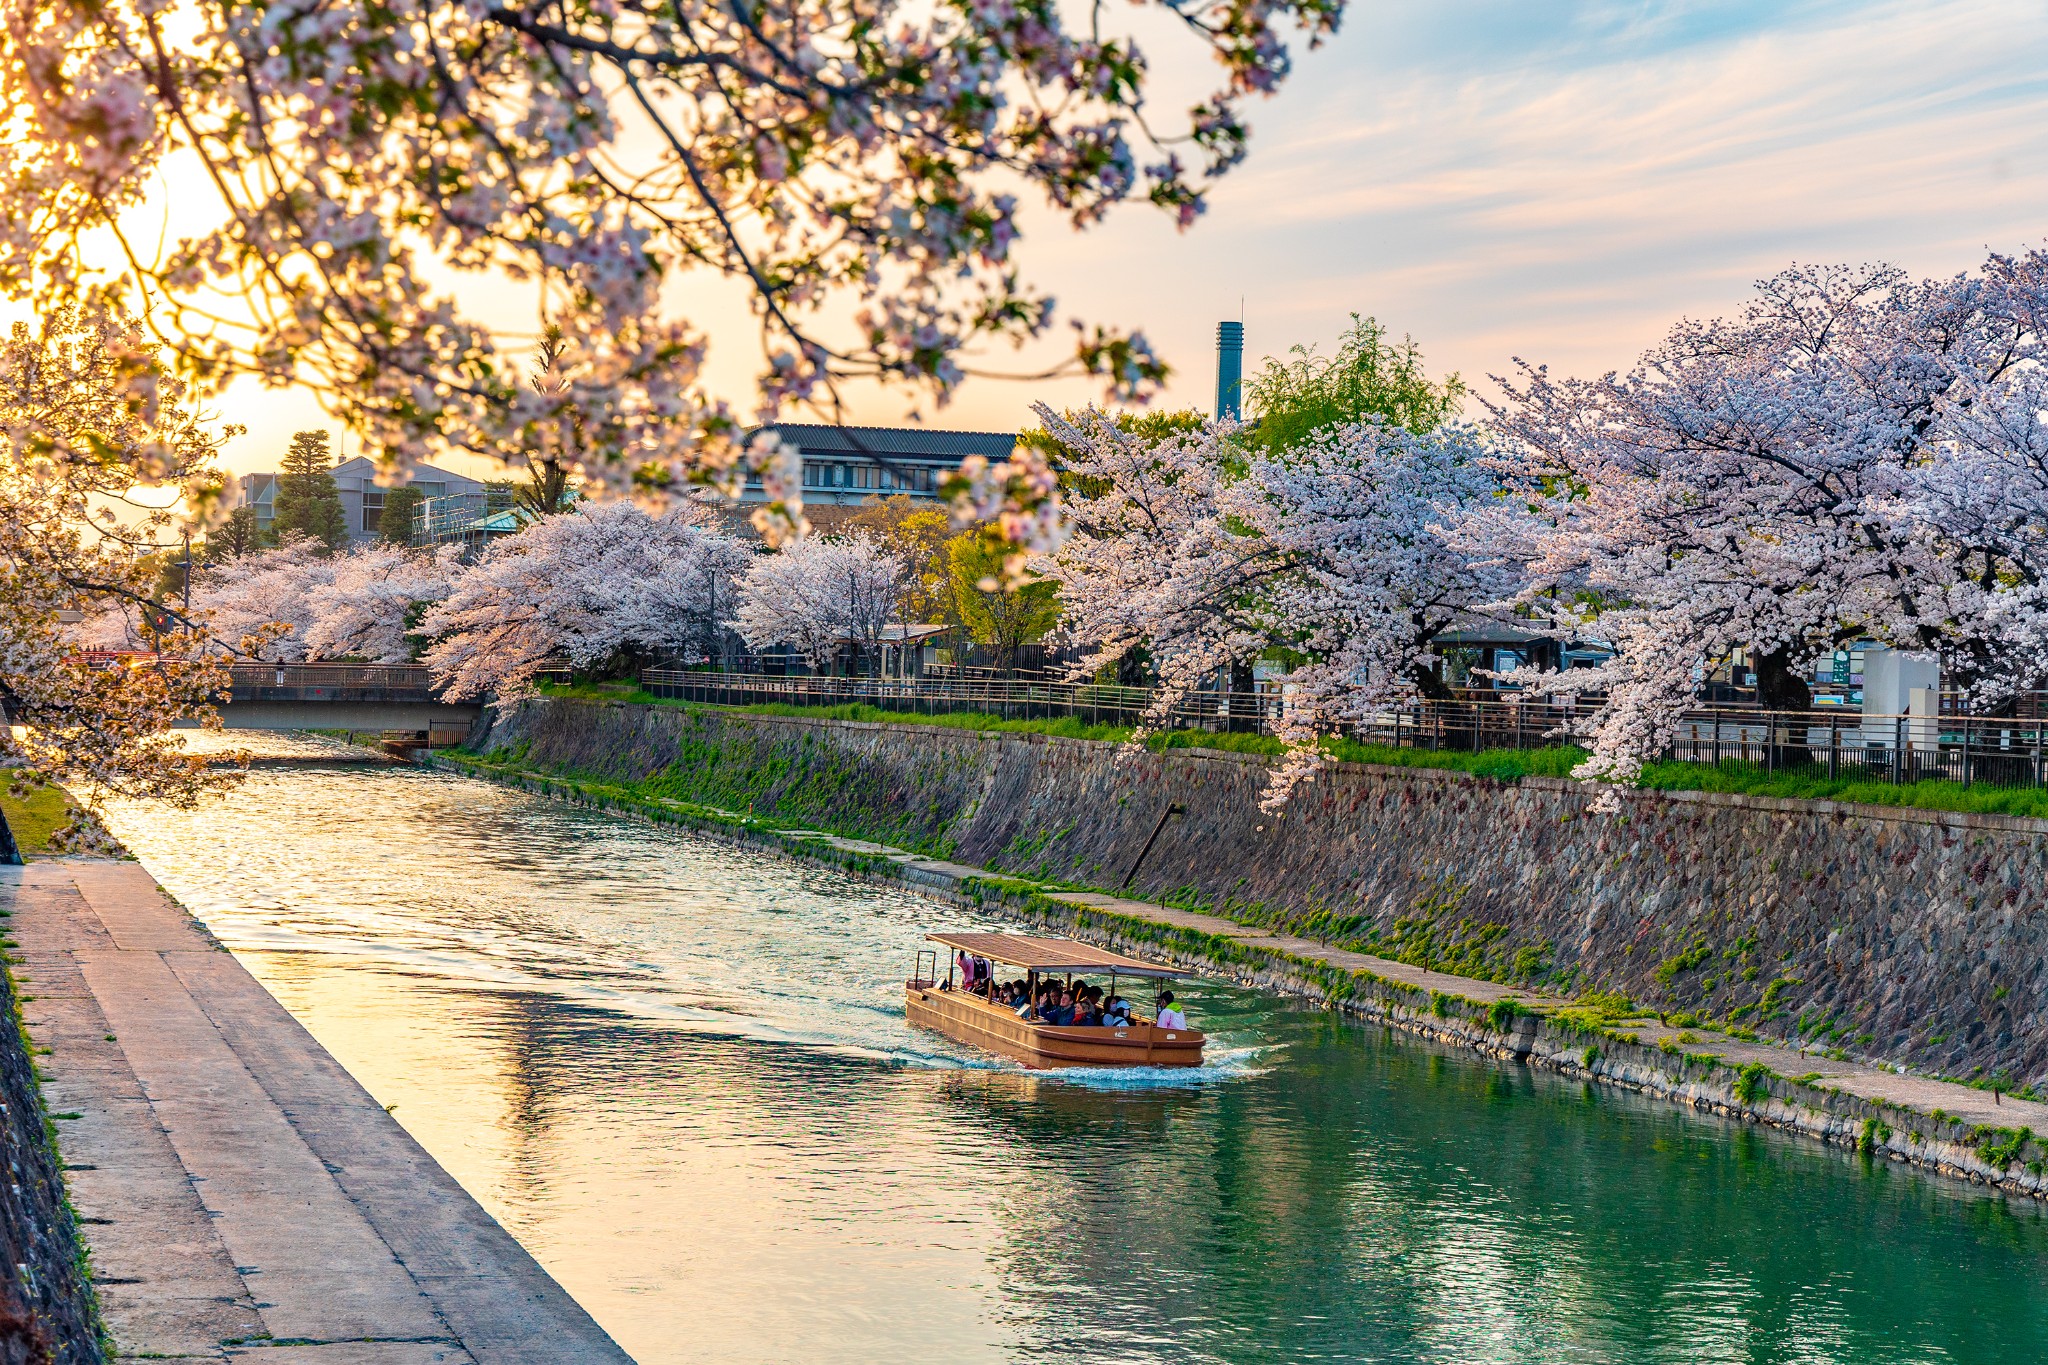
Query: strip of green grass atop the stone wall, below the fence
(1500, 764)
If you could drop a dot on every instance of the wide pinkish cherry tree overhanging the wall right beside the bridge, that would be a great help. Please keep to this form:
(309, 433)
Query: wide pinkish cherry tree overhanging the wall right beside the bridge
(589, 588)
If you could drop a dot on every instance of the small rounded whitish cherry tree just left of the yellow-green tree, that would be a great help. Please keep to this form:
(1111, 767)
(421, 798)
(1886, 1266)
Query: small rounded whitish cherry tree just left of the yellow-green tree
(820, 597)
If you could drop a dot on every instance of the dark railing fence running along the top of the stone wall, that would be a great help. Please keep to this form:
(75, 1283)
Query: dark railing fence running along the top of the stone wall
(1836, 744)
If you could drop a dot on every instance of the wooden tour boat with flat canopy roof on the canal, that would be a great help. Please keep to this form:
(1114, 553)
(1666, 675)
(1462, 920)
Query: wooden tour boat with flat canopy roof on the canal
(962, 1014)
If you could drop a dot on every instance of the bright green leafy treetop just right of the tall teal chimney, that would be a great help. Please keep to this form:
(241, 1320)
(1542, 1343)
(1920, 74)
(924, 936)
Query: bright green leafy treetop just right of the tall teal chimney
(1369, 378)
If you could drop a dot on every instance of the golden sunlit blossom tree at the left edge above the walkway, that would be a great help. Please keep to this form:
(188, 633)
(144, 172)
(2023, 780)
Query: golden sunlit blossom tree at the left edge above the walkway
(91, 423)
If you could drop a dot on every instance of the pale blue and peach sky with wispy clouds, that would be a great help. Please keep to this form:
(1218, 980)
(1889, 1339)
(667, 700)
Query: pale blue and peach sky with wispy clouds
(1502, 179)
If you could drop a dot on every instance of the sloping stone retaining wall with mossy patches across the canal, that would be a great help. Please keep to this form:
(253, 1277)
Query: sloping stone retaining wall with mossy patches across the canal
(1904, 936)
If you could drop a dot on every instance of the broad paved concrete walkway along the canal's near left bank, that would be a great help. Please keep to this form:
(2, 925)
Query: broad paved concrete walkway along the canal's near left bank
(243, 1196)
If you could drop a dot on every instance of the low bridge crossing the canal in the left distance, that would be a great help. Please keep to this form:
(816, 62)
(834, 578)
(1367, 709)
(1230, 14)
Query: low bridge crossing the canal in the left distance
(341, 697)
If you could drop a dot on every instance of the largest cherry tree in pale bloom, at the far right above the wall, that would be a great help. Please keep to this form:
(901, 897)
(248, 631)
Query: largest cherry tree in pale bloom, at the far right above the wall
(1857, 457)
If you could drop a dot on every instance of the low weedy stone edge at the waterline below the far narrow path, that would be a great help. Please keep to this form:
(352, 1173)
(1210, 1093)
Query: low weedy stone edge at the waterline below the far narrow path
(1588, 1041)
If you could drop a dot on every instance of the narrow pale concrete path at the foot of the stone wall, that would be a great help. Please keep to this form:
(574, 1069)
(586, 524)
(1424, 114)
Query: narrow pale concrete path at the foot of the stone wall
(1922, 1094)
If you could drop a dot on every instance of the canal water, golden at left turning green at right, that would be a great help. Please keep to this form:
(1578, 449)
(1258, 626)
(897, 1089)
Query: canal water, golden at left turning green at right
(679, 1073)
